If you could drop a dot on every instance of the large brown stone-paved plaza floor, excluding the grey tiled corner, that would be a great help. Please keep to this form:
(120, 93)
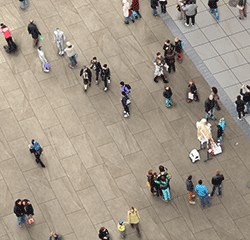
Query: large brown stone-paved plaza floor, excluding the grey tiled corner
(96, 161)
